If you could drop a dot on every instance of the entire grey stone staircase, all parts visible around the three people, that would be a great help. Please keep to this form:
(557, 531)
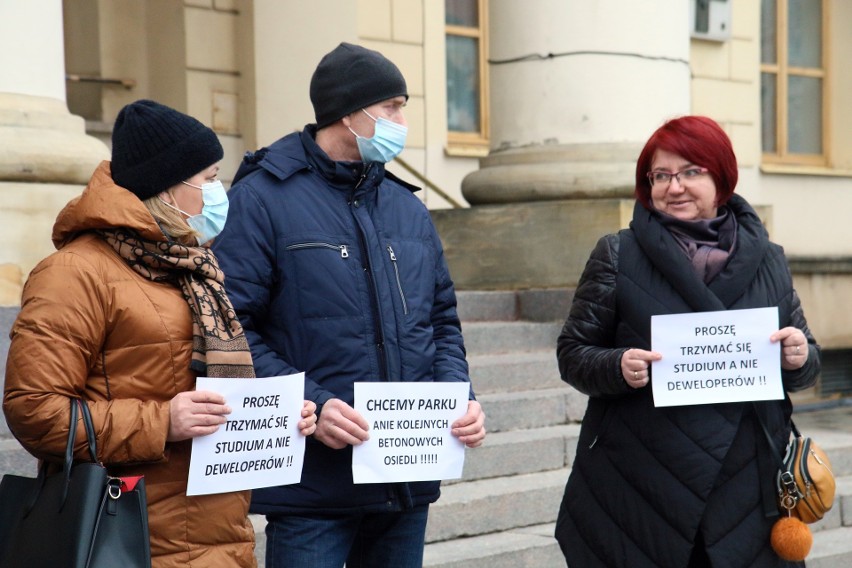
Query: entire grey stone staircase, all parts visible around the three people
(501, 513)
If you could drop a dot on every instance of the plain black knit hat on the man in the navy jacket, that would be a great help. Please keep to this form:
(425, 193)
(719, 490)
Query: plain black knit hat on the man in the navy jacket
(351, 77)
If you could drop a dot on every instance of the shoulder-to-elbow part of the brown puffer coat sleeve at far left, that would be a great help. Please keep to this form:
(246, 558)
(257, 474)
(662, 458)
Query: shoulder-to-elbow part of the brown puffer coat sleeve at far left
(54, 342)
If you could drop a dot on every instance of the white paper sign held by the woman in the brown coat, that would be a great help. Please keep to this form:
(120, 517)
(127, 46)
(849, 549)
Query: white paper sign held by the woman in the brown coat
(260, 444)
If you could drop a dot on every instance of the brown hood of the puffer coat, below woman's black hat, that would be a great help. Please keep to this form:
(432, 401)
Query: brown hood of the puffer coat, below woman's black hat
(104, 205)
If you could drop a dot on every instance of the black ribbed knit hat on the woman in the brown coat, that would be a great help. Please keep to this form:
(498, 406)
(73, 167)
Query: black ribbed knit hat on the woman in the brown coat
(155, 147)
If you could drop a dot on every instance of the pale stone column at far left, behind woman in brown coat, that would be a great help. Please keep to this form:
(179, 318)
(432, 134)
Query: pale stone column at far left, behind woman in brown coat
(45, 155)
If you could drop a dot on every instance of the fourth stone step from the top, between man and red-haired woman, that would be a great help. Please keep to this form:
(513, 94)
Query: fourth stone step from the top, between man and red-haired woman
(525, 410)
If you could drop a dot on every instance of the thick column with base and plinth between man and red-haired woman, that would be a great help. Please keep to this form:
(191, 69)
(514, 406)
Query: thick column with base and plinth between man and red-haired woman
(576, 89)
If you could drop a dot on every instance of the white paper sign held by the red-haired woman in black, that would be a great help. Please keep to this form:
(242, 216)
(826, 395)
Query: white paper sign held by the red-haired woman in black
(710, 357)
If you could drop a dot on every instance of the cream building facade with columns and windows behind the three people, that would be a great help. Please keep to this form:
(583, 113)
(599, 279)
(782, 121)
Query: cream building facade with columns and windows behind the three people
(525, 118)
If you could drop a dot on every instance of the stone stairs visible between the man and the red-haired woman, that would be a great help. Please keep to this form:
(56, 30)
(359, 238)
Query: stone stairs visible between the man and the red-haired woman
(501, 513)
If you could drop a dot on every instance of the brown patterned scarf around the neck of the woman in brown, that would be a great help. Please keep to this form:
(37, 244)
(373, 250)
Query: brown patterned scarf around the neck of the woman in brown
(219, 346)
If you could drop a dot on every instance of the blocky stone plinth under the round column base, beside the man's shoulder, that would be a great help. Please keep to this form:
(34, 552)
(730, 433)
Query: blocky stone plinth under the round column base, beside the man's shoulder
(526, 245)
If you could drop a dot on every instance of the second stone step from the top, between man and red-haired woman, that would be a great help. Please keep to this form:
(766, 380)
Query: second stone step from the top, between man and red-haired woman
(482, 338)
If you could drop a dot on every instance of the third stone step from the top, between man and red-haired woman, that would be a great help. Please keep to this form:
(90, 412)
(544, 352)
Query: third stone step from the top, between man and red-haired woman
(512, 372)
